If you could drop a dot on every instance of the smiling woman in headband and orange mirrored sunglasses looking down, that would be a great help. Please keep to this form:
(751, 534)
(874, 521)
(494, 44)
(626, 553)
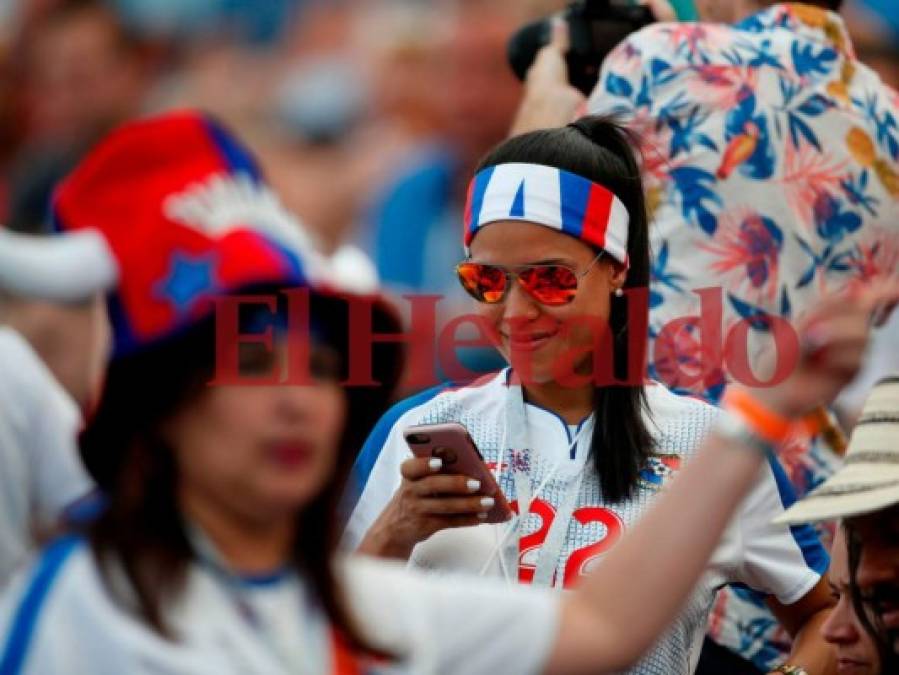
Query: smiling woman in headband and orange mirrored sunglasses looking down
(556, 251)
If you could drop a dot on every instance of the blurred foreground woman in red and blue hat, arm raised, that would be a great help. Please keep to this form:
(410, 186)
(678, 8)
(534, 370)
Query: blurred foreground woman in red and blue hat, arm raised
(213, 552)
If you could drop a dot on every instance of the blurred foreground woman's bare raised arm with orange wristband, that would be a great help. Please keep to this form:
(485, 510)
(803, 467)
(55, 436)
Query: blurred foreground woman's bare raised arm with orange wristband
(620, 610)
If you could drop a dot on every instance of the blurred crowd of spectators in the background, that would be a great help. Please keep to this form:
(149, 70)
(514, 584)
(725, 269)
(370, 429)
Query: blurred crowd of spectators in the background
(367, 114)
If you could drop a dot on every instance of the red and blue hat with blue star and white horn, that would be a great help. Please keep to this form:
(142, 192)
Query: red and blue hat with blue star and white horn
(164, 215)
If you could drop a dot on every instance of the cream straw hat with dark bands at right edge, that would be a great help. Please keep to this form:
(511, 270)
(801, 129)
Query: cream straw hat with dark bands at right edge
(869, 478)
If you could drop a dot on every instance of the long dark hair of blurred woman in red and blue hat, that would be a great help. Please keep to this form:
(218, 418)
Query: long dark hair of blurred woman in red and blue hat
(140, 528)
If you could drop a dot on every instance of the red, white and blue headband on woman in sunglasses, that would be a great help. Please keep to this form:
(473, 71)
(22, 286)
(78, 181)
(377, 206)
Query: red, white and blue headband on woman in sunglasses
(551, 197)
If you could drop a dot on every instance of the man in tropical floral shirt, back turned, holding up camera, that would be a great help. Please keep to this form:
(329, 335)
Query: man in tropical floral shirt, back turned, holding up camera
(771, 164)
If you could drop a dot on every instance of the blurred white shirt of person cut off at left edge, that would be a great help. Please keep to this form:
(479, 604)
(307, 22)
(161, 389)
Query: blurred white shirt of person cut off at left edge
(40, 471)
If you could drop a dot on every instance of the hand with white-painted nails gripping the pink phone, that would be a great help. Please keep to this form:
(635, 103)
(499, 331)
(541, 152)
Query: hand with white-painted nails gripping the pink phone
(426, 502)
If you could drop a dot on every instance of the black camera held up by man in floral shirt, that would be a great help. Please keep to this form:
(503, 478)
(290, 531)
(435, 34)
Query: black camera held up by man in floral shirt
(595, 28)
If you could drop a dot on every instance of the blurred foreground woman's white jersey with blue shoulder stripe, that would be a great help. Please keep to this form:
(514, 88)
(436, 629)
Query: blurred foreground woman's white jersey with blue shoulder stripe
(60, 618)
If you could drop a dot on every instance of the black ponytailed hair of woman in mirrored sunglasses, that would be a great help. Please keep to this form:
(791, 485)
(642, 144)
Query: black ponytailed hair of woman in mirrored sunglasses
(604, 152)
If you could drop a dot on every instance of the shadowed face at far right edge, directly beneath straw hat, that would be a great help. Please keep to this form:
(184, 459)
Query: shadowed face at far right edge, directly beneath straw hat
(878, 571)
